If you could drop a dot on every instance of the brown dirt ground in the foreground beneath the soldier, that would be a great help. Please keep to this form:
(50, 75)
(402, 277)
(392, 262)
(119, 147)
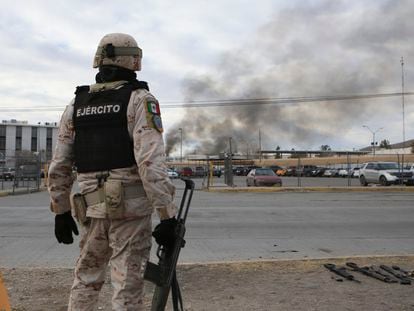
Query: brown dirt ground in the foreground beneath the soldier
(267, 285)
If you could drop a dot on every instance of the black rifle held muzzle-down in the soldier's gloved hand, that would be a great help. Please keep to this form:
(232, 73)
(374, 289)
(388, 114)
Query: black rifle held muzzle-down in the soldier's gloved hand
(163, 274)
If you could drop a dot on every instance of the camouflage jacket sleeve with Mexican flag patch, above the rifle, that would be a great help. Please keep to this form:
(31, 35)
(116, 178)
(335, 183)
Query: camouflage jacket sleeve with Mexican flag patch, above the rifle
(150, 155)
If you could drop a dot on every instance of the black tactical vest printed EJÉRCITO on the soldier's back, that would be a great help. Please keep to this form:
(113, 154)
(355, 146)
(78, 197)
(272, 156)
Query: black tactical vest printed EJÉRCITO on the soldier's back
(102, 141)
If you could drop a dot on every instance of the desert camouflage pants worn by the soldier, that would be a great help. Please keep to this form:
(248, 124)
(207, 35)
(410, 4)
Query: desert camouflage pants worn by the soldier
(126, 245)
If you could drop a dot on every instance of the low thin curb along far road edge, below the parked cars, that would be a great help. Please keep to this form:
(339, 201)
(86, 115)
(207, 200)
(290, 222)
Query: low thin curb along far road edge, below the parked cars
(310, 189)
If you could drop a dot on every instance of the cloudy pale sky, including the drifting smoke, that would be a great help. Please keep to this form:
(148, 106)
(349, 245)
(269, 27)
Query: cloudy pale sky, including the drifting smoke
(204, 51)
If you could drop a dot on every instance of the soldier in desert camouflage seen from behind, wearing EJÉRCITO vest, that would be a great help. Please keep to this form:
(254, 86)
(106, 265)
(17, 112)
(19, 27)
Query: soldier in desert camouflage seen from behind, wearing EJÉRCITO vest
(111, 133)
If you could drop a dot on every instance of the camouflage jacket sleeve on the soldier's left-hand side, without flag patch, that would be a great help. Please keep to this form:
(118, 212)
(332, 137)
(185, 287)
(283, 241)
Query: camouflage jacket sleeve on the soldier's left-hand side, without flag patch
(61, 178)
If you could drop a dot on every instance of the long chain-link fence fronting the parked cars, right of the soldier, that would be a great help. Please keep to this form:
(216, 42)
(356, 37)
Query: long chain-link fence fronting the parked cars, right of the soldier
(328, 171)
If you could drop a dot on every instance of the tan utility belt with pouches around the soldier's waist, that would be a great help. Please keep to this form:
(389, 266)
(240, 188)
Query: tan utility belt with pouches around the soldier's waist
(110, 196)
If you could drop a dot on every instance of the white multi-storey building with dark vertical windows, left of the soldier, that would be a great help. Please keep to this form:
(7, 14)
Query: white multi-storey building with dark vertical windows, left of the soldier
(21, 138)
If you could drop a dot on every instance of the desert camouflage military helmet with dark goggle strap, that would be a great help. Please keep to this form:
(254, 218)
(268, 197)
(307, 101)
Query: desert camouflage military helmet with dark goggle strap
(118, 49)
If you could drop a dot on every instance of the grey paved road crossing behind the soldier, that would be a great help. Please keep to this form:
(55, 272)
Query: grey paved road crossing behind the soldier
(238, 226)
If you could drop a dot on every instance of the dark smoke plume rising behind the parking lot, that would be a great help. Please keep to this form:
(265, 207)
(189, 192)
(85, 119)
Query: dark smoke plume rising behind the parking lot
(332, 48)
